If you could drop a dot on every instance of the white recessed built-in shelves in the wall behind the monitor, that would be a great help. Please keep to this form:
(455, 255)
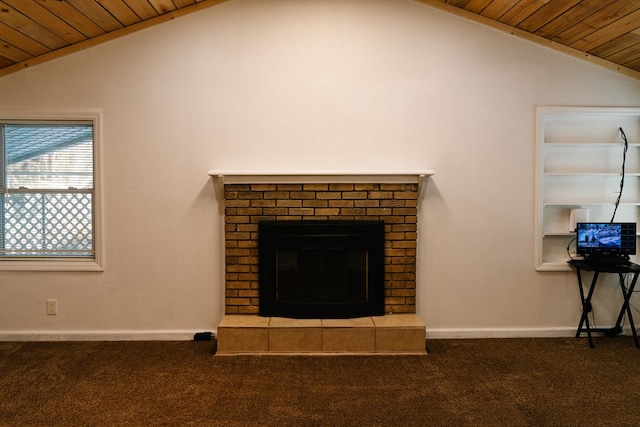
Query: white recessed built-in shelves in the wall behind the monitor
(579, 152)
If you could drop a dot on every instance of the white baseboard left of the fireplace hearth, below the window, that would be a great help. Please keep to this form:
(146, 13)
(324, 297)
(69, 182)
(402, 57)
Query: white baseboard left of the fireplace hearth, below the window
(109, 335)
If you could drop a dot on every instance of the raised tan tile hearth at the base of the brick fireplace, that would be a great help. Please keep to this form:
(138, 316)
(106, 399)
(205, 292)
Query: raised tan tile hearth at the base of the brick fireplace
(390, 334)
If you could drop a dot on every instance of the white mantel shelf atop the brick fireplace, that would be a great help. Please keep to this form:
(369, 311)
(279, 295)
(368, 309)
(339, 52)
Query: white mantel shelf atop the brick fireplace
(326, 177)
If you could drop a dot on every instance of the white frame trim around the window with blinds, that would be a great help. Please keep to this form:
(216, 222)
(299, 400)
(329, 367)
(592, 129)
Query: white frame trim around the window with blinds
(66, 264)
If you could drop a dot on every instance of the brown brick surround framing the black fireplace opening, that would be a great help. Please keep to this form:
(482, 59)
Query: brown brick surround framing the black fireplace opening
(247, 204)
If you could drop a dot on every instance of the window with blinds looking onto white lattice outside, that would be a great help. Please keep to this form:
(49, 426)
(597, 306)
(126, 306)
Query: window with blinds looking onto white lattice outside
(48, 194)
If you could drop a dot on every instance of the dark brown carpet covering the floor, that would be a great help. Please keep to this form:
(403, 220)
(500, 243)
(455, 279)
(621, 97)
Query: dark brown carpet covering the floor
(490, 382)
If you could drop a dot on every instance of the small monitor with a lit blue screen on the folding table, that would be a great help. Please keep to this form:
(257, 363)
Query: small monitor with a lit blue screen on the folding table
(605, 238)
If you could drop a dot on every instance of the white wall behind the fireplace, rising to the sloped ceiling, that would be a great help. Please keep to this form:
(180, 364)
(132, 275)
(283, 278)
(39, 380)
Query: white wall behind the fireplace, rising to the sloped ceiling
(280, 85)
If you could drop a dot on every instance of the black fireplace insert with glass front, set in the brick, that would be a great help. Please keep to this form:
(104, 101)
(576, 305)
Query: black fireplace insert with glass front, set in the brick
(321, 268)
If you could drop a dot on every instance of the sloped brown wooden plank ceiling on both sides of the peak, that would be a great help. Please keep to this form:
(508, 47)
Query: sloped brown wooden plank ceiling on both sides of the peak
(606, 32)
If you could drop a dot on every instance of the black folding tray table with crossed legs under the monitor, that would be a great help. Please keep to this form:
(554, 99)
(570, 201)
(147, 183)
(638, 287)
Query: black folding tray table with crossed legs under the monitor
(597, 268)
